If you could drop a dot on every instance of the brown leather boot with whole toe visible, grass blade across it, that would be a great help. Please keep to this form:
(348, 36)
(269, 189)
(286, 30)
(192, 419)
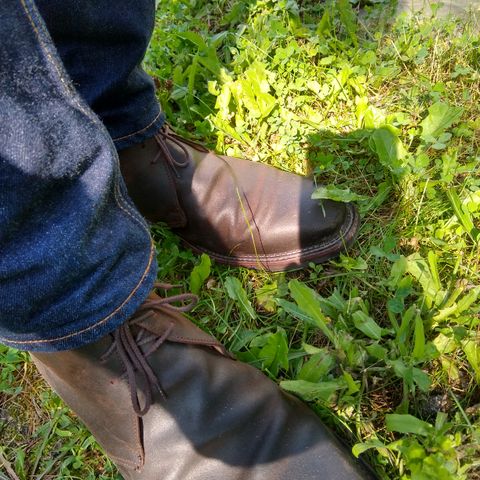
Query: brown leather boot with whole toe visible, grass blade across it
(237, 211)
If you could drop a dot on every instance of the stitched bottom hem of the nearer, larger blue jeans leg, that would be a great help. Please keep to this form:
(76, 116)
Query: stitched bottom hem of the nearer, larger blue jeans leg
(98, 328)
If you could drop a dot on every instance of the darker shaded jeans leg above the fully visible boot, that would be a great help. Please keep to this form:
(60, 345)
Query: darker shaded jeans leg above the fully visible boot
(101, 44)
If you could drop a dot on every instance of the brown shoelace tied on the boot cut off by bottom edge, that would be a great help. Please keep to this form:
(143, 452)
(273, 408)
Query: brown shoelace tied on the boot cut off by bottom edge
(128, 346)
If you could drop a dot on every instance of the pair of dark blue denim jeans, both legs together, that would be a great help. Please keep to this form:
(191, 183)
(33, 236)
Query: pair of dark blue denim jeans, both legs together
(76, 258)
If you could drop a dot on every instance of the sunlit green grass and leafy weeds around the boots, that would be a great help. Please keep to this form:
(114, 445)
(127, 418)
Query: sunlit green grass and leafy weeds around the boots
(383, 342)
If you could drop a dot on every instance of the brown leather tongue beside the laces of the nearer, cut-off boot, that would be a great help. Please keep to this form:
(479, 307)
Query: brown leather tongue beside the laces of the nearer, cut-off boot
(183, 331)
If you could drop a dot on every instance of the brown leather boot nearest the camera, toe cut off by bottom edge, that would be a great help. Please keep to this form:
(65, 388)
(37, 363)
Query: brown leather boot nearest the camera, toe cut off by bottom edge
(166, 401)
